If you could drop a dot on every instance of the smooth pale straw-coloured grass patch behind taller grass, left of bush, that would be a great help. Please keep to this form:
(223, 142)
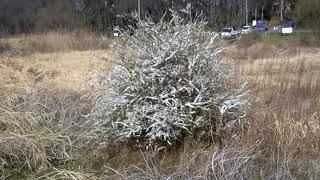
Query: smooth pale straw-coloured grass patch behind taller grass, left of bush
(63, 70)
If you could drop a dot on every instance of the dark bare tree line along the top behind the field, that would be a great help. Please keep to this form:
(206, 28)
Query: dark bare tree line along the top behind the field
(26, 16)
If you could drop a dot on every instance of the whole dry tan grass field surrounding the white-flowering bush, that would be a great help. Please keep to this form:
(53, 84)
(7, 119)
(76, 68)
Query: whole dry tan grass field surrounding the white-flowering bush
(45, 133)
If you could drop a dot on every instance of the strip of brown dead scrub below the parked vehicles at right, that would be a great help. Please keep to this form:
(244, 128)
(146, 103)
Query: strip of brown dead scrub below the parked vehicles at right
(274, 45)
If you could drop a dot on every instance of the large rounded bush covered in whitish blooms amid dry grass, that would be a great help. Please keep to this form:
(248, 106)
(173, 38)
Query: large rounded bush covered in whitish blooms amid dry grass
(169, 81)
